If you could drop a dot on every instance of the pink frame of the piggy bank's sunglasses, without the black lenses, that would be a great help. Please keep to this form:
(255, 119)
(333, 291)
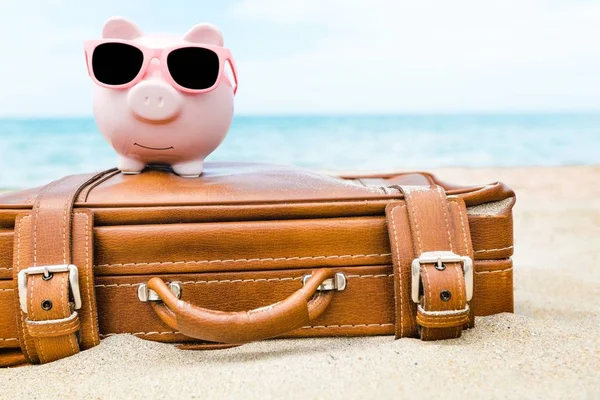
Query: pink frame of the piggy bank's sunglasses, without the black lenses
(223, 53)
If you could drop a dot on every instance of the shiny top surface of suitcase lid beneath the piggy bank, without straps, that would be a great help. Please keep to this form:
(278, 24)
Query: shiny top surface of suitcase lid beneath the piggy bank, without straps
(246, 183)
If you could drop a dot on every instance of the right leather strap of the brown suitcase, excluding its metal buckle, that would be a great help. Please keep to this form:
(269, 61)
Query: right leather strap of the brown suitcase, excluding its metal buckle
(426, 222)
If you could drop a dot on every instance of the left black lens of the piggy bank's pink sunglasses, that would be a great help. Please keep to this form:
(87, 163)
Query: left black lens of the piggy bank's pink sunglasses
(116, 63)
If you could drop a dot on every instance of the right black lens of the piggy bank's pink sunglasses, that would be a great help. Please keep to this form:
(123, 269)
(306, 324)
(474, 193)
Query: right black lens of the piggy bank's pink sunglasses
(194, 67)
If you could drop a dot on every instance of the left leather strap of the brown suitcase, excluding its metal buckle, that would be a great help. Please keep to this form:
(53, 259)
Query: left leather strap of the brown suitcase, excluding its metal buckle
(49, 330)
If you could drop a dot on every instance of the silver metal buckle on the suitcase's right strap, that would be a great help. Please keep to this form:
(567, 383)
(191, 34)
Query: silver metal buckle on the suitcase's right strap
(440, 257)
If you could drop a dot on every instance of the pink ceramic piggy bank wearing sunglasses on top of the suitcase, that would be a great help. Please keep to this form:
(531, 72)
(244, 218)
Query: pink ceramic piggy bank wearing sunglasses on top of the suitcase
(161, 99)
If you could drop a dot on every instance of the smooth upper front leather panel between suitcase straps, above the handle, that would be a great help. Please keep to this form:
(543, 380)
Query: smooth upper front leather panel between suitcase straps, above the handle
(252, 245)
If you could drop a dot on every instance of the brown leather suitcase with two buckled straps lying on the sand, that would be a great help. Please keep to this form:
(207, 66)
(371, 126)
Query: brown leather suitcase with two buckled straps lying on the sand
(90, 256)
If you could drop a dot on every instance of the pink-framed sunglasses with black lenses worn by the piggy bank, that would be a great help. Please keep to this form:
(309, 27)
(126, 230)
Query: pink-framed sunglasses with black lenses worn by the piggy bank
(191, 68)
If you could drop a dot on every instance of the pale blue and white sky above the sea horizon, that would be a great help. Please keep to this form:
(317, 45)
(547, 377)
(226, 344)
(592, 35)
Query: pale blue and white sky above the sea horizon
(329, 56)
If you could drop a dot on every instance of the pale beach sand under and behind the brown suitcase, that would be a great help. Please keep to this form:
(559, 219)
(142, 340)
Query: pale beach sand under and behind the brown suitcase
(550, 348)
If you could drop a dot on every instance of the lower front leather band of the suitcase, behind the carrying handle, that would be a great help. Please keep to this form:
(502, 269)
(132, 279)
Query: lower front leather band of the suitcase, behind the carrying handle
(366, 307)
